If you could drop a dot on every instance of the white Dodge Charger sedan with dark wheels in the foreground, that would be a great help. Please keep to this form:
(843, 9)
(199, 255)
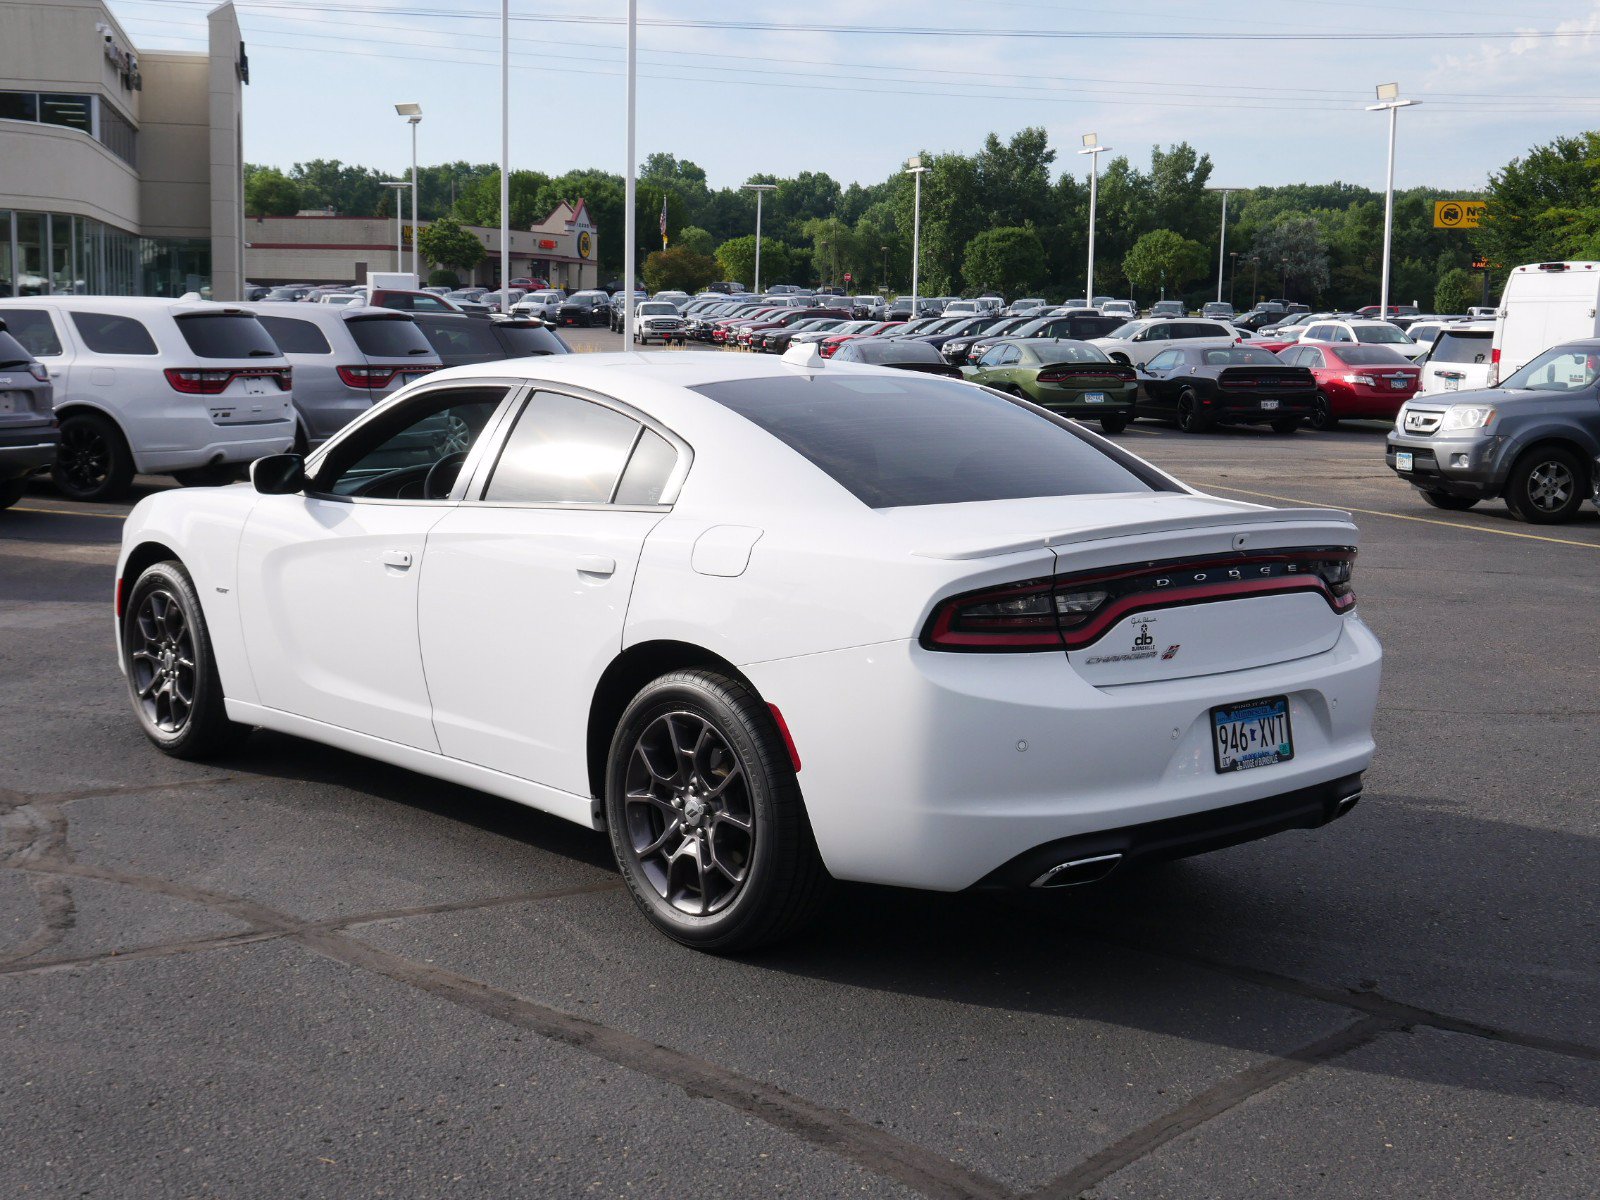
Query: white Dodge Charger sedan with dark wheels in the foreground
(769, 623)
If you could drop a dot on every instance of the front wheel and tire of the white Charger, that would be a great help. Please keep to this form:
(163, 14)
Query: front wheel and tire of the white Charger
(180, 708)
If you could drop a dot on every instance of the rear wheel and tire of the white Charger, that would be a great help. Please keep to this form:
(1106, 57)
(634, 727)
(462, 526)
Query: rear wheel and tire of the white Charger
(737, 770)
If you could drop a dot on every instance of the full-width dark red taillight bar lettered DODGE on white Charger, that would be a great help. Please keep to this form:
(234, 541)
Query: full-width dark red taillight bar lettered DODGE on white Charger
(1070, 612)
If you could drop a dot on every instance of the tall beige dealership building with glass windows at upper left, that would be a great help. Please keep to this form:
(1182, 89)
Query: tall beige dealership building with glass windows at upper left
(121, 170)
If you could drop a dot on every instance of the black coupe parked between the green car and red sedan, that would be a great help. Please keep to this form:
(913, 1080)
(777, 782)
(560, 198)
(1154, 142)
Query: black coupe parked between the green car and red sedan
(1204, 386)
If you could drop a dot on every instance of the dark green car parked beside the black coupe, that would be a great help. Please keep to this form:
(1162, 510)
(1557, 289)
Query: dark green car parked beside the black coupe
(1071, 378)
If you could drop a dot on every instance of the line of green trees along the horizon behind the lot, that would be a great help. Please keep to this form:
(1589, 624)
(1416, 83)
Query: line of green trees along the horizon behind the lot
(994, 220)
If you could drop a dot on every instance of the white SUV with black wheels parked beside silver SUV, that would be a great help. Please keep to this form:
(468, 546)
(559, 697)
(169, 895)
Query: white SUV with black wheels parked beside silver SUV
(156, 388)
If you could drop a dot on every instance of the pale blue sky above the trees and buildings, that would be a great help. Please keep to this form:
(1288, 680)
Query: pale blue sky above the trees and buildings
(1274, 94)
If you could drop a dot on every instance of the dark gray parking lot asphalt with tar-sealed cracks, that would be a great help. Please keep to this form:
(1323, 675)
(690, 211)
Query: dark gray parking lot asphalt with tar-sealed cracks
(302, 974)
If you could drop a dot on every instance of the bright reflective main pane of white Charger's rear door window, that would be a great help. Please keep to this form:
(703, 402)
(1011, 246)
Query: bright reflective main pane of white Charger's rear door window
(562, 450)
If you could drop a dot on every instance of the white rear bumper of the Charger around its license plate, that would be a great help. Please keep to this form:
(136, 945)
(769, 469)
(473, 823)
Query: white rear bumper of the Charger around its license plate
(937, 770)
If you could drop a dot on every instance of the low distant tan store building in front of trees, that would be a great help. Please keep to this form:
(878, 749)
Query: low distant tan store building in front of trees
(329, 249)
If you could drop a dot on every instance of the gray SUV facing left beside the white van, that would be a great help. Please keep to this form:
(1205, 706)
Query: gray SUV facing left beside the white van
(1532, 441)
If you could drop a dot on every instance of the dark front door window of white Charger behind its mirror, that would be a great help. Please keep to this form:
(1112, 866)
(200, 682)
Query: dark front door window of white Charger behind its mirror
(412, 452)
